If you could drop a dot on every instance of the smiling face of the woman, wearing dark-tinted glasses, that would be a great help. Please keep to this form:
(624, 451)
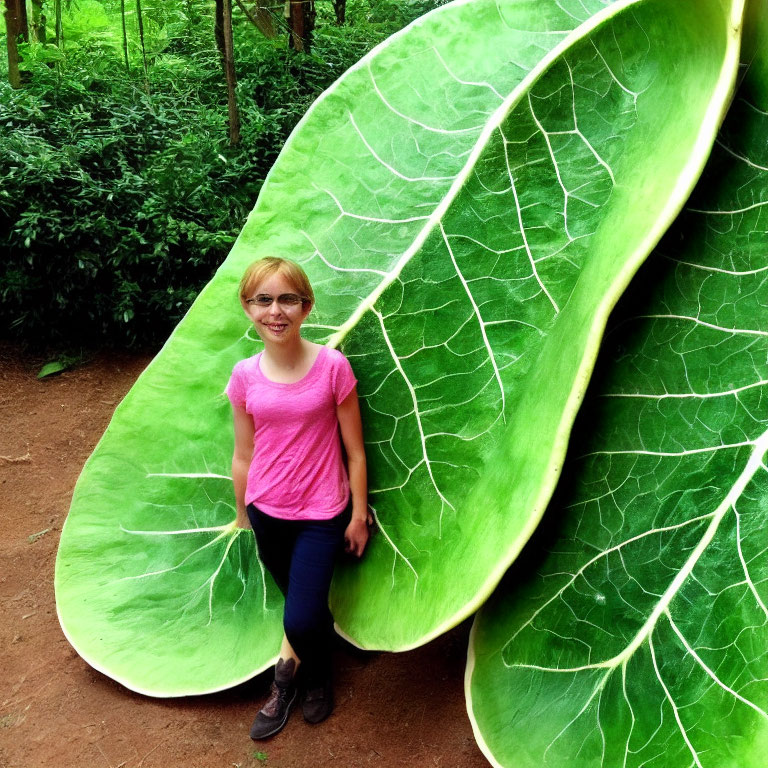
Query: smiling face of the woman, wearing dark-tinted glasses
(276, 322)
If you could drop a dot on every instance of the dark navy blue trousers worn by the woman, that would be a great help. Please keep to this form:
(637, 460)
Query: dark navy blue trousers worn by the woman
(301, 555)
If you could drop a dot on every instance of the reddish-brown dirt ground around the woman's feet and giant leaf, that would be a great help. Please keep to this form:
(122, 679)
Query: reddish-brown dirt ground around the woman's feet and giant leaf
(392, 709)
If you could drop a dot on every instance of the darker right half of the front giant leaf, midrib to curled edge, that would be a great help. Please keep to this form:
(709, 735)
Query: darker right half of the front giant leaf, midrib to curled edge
(491, 332)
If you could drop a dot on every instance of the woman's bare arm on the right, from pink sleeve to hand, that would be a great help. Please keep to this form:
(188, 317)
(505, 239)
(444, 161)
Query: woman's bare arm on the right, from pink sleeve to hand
(348, 413)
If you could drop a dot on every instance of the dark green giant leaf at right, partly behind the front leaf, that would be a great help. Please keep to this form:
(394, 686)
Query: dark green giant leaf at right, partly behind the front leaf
(642, 637)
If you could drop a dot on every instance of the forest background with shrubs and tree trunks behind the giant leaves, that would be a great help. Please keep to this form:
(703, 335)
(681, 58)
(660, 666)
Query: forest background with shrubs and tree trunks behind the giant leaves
(125, 174)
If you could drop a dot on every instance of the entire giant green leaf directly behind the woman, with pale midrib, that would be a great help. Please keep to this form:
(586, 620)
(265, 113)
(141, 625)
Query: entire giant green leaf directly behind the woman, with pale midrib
(469, 201)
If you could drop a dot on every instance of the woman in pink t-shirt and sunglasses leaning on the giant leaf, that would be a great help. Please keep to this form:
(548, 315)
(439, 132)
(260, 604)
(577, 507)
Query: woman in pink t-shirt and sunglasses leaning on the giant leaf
(294, 404)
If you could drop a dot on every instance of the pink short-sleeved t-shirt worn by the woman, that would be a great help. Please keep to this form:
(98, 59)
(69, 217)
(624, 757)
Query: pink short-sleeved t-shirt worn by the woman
(297, 472)
